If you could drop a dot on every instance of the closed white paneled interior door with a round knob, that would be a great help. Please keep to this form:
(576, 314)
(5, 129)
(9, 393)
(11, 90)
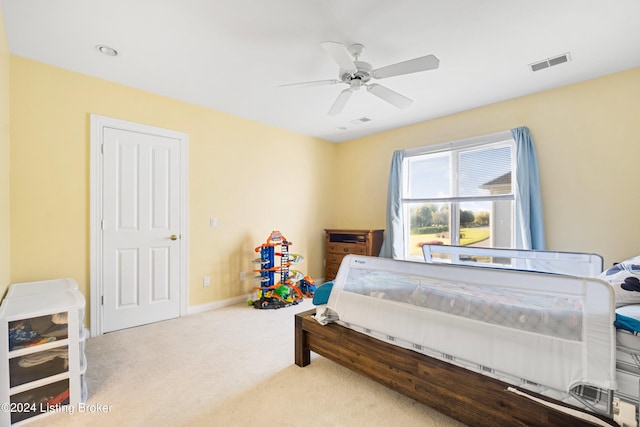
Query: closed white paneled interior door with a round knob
(141, 228)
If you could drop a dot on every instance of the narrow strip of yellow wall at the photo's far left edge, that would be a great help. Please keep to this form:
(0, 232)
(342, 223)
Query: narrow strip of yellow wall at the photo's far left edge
(5, 272)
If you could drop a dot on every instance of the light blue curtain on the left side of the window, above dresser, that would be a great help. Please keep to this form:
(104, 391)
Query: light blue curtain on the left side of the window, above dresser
(393, 244)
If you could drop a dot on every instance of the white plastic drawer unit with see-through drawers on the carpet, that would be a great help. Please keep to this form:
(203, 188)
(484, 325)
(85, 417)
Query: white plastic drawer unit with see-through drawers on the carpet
(42, 338)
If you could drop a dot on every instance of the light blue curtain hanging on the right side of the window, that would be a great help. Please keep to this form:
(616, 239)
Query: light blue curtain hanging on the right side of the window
(529, 224)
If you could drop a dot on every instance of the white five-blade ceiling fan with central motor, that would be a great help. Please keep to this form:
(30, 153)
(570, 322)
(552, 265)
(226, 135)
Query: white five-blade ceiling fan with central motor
(356, 74)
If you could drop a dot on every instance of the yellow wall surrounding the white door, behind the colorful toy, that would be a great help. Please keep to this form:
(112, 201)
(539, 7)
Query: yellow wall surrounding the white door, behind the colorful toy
(253, 178)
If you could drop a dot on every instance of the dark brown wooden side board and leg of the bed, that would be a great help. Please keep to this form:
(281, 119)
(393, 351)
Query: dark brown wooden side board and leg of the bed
(467, 396)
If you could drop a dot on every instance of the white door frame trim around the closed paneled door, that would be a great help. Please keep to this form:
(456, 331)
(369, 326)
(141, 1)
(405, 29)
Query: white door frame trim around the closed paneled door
(97, 125)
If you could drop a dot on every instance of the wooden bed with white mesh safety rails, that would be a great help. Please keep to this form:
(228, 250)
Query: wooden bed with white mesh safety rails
(468, 347)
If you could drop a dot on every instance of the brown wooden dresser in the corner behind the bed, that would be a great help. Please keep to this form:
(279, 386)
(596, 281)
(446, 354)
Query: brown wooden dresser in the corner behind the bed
(344, 242)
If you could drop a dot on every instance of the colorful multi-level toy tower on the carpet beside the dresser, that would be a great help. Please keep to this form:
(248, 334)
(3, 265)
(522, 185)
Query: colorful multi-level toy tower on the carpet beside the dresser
(287, 291)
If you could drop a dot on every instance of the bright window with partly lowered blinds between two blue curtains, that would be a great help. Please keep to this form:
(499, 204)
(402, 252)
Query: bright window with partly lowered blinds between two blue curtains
(460, 194)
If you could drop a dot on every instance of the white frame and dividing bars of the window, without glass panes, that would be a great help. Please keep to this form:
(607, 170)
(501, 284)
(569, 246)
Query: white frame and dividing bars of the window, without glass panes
(484, 141)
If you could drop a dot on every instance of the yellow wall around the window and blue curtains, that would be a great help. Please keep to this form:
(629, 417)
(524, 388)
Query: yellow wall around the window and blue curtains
(587, 138)
